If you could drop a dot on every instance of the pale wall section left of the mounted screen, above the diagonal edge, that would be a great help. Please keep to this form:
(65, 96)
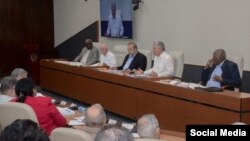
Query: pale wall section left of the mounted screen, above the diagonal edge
(71, 16)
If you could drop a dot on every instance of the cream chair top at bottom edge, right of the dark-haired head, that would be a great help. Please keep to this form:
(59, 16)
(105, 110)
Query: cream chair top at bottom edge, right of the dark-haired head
(69, 134)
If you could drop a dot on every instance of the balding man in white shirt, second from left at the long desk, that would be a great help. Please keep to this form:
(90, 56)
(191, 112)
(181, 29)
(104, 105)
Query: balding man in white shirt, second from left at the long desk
(107, 58)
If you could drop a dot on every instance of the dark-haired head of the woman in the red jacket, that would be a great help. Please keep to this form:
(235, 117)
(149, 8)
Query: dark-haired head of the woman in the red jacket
(25, 87)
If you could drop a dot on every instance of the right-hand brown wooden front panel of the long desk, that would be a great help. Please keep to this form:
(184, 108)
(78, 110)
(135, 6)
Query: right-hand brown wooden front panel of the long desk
(174, 113)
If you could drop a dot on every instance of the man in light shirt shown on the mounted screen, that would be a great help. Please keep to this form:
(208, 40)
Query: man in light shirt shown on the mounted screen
(115, 26)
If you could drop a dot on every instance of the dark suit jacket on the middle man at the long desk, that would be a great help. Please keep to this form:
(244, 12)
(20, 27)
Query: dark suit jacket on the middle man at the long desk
(139, 61)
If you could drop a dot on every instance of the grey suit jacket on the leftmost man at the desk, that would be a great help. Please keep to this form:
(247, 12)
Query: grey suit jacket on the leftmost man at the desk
(92, 58)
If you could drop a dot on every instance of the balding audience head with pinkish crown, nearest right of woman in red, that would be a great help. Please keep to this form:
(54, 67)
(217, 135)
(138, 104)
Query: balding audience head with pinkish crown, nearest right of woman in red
(95, 116)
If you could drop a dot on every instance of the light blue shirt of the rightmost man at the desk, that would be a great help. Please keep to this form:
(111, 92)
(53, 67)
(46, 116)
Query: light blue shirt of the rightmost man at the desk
(217, 71)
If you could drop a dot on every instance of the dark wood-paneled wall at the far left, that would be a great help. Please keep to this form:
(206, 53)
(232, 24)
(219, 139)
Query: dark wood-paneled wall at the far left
(24, 21)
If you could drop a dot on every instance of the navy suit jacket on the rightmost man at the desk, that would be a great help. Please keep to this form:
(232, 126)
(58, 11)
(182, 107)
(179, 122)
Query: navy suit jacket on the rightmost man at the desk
(230, 74)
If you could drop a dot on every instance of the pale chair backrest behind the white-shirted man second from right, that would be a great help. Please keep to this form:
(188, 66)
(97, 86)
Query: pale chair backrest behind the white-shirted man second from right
(178, 57)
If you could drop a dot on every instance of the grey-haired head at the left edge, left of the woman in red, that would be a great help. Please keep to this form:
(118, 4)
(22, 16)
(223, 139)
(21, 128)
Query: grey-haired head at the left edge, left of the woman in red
(7, 83)
